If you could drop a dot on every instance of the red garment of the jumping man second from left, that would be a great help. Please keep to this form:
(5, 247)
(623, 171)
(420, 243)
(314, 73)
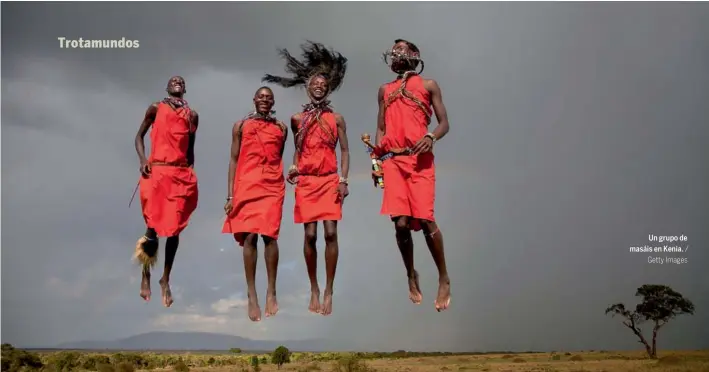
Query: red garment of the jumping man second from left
(259, 184)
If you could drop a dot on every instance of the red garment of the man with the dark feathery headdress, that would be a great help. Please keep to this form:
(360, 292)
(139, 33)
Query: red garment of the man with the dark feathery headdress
(316, 196)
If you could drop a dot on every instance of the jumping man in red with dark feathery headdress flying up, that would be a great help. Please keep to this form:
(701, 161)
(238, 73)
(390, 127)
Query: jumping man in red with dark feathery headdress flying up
(320, 191)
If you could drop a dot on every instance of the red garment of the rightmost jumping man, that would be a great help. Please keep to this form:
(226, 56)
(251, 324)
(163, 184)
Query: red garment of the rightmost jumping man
(410, 179)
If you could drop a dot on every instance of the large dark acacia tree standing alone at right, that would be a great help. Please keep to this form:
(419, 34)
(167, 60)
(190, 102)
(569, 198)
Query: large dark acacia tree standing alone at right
(659, 305)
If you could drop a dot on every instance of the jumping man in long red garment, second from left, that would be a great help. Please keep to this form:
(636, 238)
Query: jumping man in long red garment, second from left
(255, 193)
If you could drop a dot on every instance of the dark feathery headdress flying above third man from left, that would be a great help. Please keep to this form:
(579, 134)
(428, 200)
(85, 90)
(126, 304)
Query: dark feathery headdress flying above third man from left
(317, 60)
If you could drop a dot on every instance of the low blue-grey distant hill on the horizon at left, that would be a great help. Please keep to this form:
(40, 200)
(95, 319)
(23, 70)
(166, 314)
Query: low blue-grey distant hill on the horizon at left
(200, 341)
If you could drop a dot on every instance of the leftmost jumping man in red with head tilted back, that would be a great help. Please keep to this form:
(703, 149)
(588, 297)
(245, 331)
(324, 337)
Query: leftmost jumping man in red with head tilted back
(168, 183)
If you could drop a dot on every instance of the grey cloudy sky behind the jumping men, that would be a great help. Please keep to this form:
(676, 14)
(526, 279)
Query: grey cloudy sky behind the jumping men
(576, 131)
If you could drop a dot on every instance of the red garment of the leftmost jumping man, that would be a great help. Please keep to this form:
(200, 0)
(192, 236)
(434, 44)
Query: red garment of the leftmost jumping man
(169, 194)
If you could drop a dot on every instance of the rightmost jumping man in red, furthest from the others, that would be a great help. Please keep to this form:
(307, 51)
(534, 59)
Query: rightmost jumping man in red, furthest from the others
(404, 141)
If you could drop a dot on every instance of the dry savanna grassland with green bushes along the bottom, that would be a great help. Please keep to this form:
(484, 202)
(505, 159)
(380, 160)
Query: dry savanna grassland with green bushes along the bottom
(598, 361)
